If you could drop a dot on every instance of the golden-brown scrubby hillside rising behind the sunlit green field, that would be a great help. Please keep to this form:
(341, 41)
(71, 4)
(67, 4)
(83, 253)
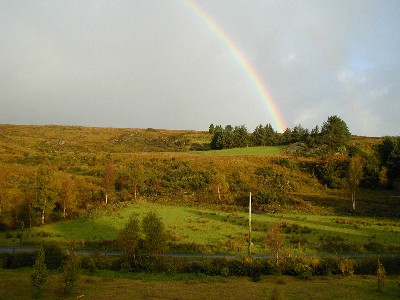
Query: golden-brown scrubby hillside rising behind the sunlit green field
(91, 167)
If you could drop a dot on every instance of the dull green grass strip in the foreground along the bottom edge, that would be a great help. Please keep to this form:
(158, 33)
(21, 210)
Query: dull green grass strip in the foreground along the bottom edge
(15, 284)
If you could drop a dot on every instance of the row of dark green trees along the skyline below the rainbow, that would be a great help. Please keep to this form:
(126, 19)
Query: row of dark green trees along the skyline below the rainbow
(333, 134)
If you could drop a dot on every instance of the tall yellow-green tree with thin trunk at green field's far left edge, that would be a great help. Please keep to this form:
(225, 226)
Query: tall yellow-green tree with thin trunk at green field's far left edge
(45, 192)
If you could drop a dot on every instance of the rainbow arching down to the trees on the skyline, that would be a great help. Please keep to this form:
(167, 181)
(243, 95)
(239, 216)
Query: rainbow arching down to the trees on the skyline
(251, 73)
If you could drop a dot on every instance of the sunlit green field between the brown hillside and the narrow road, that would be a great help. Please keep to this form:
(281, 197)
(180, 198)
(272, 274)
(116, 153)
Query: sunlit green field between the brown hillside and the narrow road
(216, 230)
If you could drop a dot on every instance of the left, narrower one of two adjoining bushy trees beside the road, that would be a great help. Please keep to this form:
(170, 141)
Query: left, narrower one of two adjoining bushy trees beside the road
(128, 239)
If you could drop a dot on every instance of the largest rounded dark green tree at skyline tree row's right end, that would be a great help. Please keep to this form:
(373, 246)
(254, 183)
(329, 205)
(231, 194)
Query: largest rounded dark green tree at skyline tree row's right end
(335, 133)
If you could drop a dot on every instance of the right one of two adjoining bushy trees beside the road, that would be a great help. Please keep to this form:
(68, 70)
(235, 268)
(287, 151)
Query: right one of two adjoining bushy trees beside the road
(155, 237)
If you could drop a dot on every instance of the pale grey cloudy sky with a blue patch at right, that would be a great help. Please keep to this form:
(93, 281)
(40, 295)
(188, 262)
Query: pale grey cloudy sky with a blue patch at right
(186, 64)
